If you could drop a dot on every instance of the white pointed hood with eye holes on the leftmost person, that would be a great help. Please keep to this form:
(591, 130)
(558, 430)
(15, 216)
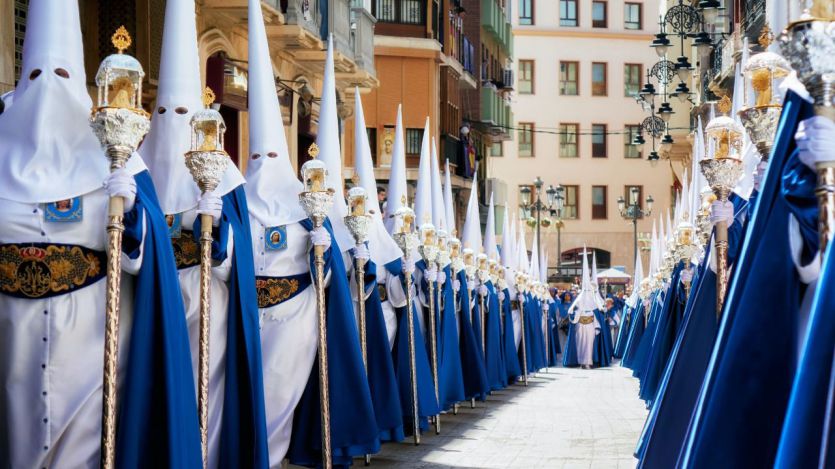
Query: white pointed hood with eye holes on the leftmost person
(48, 150)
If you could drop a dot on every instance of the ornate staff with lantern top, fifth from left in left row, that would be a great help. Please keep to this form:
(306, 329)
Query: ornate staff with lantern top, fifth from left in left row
(408, 242)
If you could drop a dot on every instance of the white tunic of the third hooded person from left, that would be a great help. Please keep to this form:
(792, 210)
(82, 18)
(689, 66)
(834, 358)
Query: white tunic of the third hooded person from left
(289, 336)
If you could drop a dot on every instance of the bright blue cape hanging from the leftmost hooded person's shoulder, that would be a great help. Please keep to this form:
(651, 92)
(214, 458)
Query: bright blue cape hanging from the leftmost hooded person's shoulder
(157, 424)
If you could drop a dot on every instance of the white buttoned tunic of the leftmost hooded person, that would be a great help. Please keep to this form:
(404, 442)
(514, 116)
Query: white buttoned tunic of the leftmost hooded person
(53, 348)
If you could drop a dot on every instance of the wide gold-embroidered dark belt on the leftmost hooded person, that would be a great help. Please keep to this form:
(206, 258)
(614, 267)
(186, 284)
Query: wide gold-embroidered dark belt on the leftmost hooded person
(40, 270)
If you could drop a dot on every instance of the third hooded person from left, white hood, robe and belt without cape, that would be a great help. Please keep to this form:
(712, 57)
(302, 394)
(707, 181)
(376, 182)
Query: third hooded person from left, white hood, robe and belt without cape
(282, 246)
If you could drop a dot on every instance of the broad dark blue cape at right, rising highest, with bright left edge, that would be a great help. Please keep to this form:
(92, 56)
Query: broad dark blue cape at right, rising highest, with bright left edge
(746, 391)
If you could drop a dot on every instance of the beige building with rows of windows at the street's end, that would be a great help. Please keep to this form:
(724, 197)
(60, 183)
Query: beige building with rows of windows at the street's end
(578, 64)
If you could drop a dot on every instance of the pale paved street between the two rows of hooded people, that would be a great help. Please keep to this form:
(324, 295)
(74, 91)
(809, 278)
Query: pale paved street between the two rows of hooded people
(567, 418)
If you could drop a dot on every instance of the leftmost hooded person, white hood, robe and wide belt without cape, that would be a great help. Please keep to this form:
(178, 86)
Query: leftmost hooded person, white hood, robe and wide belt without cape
(52, 200)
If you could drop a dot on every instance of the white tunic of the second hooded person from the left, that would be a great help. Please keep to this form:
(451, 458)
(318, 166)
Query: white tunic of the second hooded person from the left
(190, 288)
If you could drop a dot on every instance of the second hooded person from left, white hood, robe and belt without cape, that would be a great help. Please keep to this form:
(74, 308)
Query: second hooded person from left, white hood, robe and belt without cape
(179, 96)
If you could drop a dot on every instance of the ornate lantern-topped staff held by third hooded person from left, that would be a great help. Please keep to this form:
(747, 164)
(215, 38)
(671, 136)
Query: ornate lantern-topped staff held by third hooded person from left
(316, 200)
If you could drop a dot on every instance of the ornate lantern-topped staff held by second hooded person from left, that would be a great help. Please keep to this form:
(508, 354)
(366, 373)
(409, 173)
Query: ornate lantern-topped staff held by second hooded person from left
(207, 161)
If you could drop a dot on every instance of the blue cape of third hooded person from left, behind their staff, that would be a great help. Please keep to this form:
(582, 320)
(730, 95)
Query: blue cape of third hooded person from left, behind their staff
(353, 425)
